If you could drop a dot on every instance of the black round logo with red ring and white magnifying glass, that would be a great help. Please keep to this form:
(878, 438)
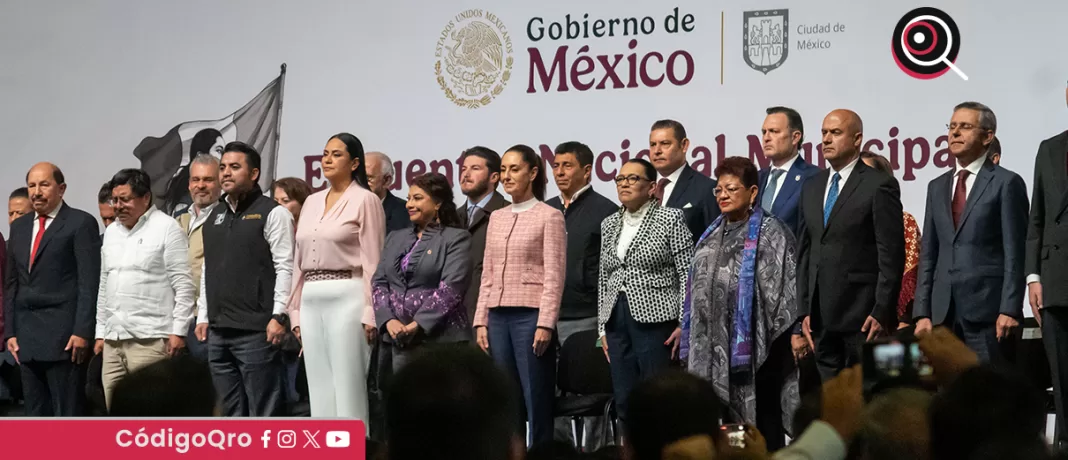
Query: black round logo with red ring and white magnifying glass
(926, 43)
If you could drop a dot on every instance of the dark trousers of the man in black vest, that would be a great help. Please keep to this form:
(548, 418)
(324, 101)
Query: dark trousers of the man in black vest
(248, 373)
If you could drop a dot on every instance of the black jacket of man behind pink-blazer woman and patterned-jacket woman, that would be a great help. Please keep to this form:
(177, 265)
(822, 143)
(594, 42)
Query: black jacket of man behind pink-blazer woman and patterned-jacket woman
(583, 219)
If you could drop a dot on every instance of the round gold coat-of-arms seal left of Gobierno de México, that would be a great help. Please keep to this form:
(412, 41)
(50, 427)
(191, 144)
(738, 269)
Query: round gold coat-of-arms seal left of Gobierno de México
(474, 59)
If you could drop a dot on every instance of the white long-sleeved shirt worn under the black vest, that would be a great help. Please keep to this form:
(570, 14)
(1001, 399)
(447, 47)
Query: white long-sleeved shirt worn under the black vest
(279, 233)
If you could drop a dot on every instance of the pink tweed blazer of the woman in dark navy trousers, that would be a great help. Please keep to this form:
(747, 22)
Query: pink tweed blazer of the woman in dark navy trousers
(525, 263)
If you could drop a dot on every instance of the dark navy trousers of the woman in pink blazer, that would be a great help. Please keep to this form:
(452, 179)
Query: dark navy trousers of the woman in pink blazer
(512, 345)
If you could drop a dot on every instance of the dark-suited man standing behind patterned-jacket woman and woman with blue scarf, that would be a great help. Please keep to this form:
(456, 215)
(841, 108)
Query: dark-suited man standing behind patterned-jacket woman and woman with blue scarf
(680, 186)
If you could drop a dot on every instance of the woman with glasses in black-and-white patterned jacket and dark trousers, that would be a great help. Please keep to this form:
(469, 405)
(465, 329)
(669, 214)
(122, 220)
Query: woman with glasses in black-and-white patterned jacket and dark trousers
(647, 251)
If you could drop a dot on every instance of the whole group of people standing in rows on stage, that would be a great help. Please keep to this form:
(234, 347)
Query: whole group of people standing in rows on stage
(745, 279)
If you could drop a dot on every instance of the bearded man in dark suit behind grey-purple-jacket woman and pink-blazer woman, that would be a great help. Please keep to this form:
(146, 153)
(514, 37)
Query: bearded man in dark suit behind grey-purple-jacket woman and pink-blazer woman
(480, 175)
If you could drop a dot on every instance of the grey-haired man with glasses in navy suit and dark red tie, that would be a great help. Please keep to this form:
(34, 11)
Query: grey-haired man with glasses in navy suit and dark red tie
(971, 261)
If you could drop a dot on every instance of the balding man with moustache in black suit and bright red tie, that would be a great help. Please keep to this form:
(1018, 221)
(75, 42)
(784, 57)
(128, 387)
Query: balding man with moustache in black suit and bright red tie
(51, 289)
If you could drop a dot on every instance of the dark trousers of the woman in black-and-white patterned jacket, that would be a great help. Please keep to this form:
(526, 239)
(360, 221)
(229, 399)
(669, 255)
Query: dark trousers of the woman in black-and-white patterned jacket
(636, 351)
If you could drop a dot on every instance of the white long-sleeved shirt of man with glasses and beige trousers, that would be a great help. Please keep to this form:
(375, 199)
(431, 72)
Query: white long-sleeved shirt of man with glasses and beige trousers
(147, 290)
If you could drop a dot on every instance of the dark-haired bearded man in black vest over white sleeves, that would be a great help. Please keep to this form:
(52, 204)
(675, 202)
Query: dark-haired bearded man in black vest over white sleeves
(245, 285)
